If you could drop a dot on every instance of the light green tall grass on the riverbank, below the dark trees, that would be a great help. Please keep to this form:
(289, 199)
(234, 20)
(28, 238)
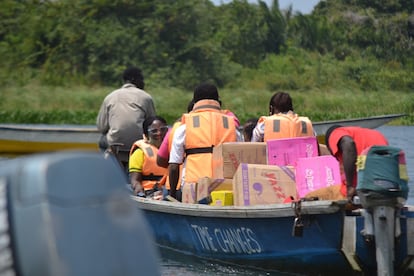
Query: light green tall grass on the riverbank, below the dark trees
(322, 88)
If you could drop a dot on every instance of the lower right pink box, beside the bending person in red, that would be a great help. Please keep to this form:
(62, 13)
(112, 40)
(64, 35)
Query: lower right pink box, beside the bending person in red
(313, 173)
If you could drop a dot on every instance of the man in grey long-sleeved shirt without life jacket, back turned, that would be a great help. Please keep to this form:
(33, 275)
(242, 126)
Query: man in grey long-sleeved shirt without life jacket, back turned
(122, 113)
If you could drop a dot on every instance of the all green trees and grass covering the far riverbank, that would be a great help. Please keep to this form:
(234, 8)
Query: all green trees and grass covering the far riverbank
(349, 58)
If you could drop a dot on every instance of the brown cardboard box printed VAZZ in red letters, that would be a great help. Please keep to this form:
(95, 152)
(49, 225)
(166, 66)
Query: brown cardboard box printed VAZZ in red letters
(255, 184)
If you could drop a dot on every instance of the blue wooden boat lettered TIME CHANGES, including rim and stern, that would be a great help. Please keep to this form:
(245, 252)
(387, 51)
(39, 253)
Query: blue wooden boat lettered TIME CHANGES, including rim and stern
(263, 236)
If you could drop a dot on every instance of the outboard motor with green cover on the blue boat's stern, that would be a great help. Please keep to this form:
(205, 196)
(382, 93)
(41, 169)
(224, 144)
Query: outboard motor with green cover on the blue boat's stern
(382, 189)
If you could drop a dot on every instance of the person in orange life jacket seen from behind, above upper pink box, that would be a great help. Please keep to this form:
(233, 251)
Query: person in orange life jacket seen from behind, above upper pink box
(282, 122)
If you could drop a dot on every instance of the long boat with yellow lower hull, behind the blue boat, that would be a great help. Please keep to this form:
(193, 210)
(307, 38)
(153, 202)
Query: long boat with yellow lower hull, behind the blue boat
(17, 139)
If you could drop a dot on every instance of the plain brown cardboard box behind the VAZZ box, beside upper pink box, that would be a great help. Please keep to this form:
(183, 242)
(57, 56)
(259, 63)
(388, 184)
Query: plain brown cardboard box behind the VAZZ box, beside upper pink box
(228, 156)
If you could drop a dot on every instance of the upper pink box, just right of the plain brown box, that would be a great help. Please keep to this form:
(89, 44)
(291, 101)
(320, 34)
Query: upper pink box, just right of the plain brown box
(283, 152)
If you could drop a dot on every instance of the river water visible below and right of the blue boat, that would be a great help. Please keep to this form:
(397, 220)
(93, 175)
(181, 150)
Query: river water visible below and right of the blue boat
(175, 264)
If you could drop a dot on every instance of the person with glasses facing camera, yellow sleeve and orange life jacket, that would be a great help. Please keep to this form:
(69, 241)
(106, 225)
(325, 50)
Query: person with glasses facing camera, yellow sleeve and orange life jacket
(146, 176)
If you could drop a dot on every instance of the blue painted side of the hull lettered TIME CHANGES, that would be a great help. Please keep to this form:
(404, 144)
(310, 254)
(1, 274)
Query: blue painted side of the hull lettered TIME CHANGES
(262, 242)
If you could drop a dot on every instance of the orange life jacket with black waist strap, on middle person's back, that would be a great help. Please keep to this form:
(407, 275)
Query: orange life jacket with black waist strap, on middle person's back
(206, 127)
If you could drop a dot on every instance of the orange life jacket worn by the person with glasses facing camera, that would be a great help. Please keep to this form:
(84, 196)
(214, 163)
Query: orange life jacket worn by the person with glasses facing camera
(151, 173)
